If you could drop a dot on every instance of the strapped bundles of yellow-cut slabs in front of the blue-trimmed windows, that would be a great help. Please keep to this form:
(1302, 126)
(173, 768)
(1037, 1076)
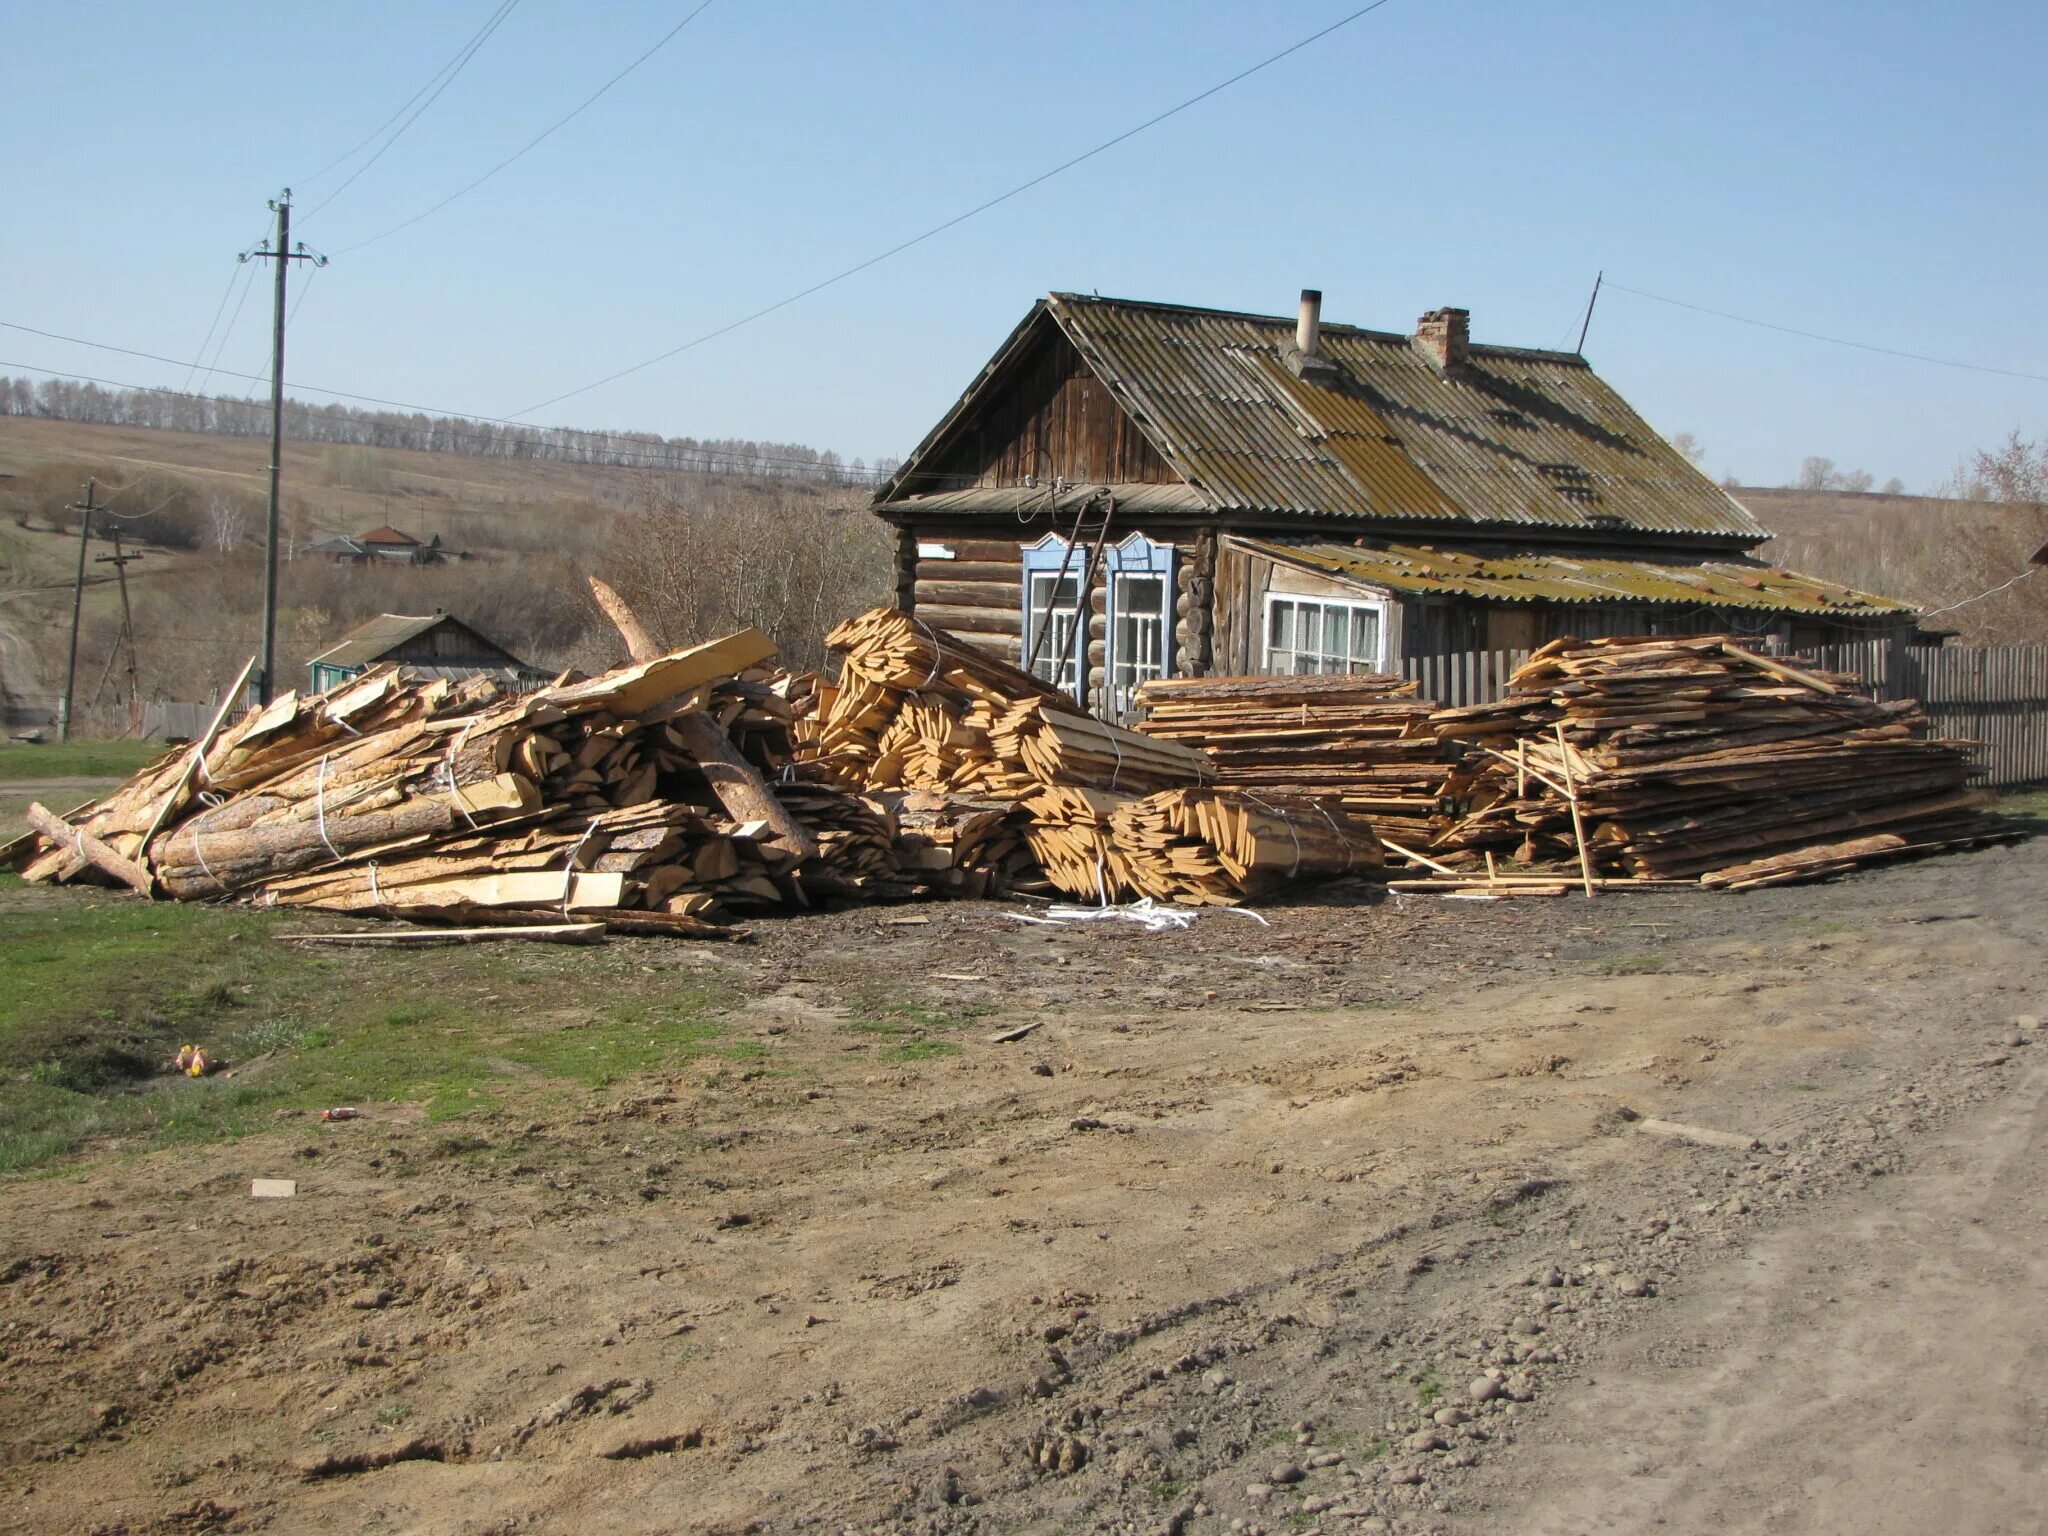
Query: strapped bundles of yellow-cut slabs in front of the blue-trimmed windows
(1107, 814)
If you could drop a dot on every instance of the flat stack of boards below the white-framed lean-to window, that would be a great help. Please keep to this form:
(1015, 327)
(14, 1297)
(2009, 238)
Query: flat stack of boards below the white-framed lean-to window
(1361, 738)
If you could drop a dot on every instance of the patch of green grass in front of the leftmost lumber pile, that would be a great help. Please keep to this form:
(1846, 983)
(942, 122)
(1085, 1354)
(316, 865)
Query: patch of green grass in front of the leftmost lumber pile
(99, 990)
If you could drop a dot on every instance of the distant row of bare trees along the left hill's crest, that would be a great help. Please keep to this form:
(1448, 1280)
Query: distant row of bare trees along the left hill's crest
(173, 411)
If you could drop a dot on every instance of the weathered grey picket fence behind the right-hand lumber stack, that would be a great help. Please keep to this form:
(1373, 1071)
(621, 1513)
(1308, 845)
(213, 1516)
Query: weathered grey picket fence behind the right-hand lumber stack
(1981, 693)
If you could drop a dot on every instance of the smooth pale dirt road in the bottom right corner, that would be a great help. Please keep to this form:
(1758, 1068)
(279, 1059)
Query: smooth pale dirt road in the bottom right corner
(1877, 1369)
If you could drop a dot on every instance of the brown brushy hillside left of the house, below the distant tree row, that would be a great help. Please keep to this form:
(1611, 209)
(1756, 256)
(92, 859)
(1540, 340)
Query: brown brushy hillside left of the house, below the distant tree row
(527, 534)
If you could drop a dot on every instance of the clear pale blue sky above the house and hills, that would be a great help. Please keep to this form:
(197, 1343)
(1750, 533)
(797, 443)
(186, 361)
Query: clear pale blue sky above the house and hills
(1867, 171)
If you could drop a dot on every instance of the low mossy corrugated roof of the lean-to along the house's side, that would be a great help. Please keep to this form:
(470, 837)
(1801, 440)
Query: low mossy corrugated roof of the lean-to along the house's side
(1576, 579)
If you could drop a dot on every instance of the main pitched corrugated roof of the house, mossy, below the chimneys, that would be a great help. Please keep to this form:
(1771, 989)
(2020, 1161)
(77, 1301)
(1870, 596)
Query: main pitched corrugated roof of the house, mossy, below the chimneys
(1512, 437)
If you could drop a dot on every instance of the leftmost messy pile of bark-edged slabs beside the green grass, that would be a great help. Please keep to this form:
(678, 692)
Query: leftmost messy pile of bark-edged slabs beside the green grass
(646, 800)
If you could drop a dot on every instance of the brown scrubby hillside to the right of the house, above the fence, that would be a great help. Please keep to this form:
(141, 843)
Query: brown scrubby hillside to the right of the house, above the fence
(1926, 550)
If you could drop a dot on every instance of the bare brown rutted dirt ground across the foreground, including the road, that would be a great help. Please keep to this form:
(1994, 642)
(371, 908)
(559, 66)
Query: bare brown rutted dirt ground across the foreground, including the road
(1367, 1220)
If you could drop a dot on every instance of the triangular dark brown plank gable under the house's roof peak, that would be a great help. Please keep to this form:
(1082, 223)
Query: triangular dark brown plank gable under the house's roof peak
(1056, 419)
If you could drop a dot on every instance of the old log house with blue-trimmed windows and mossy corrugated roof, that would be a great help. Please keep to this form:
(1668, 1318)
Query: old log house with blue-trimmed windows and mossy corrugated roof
(1228, 493)
